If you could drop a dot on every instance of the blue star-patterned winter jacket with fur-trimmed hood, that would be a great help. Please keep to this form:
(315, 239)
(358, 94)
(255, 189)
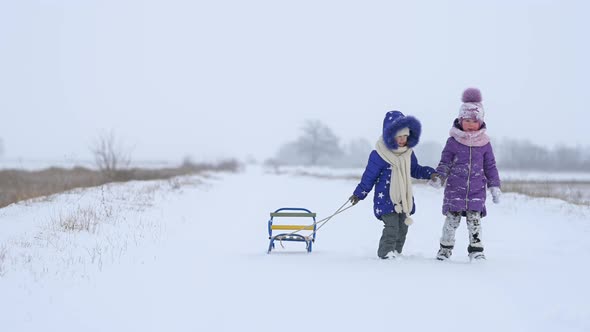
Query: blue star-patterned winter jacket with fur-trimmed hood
(378, 171)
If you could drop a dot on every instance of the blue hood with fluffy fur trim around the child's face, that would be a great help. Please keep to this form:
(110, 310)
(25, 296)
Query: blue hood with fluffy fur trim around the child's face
(396, 120)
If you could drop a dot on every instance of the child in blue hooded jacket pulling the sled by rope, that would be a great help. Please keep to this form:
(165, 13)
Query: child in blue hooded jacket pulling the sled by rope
(390, 168)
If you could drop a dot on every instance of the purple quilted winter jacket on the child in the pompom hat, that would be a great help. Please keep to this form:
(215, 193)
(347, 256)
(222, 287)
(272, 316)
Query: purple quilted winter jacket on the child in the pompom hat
(469, 167)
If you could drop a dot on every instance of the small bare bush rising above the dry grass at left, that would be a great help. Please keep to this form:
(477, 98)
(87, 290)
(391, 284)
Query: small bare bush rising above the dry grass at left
(109, 155)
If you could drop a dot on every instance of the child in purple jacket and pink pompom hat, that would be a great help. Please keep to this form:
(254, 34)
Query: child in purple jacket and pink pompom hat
(468, 166)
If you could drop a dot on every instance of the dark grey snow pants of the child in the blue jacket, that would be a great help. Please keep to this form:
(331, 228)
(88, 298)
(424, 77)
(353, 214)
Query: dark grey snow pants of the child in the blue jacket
(394, 233)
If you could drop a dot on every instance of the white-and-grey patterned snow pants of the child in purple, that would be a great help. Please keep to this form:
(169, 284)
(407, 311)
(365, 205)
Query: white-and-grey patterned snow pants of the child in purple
(452, 221)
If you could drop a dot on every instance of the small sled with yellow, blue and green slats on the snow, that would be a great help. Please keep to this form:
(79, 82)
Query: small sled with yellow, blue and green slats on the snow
(276, 224)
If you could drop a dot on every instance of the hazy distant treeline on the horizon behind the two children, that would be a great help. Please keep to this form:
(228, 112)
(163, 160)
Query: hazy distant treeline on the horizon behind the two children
(319, 146)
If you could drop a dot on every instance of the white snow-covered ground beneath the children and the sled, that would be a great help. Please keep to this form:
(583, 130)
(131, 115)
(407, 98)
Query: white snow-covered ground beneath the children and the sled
(190, 255)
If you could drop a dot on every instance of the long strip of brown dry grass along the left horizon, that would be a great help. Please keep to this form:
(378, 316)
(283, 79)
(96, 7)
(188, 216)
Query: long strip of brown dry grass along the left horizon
(19, 185)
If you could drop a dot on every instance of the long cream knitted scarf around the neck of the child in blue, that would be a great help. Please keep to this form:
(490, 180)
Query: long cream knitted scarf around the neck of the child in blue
(400, 188)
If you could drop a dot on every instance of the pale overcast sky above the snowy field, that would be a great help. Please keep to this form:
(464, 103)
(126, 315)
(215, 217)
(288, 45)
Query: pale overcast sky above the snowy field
(215, 79)
